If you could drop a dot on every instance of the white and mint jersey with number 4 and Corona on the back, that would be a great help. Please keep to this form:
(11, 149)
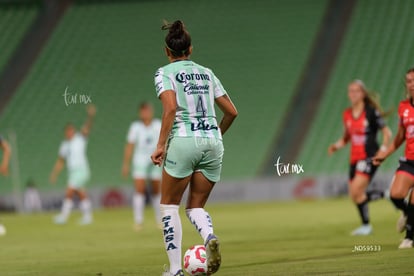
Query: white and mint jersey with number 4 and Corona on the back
(196, 88)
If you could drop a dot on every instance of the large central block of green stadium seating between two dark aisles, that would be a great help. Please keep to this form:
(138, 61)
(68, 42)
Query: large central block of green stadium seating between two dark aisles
(111, 50)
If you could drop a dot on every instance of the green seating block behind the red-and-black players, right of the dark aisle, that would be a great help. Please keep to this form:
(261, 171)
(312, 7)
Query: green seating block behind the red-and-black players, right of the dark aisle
(378, 50)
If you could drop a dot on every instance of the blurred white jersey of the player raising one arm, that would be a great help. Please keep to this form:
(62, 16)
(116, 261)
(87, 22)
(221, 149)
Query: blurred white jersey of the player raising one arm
(74, 152)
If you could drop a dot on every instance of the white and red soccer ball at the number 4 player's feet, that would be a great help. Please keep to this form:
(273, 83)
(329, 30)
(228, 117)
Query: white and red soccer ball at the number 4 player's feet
(195, 260)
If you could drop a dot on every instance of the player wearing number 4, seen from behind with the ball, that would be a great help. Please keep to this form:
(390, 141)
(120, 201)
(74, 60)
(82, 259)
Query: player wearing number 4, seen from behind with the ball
(190, 144)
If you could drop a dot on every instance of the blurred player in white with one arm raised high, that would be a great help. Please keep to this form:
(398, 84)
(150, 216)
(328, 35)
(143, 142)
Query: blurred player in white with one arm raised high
(72, 151)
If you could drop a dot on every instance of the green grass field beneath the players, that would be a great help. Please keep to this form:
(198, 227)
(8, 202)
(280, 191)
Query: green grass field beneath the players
(274, 238)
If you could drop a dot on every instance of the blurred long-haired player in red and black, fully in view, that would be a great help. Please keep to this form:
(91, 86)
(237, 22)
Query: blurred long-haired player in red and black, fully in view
(361, 122)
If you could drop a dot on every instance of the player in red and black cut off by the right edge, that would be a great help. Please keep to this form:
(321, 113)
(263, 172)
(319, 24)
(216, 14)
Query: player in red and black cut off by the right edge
(403, 180)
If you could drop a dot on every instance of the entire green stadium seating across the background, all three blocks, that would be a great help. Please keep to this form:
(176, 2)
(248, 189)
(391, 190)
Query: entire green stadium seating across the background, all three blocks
(110, 51)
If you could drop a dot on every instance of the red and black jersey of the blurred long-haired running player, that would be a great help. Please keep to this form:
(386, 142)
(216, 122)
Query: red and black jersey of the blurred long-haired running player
(362, 132)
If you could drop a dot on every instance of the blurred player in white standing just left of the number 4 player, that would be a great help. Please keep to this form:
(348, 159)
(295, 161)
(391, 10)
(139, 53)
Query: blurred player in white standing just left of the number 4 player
(141, 142)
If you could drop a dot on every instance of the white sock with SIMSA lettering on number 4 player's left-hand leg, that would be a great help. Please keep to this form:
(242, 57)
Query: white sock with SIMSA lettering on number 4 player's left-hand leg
(171, 224)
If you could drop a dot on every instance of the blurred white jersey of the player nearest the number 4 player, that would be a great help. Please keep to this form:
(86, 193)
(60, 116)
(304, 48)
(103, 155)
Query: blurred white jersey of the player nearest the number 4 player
(144, 138)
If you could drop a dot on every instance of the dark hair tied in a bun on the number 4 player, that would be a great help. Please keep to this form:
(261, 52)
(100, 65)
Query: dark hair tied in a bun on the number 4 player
(178, 39)
